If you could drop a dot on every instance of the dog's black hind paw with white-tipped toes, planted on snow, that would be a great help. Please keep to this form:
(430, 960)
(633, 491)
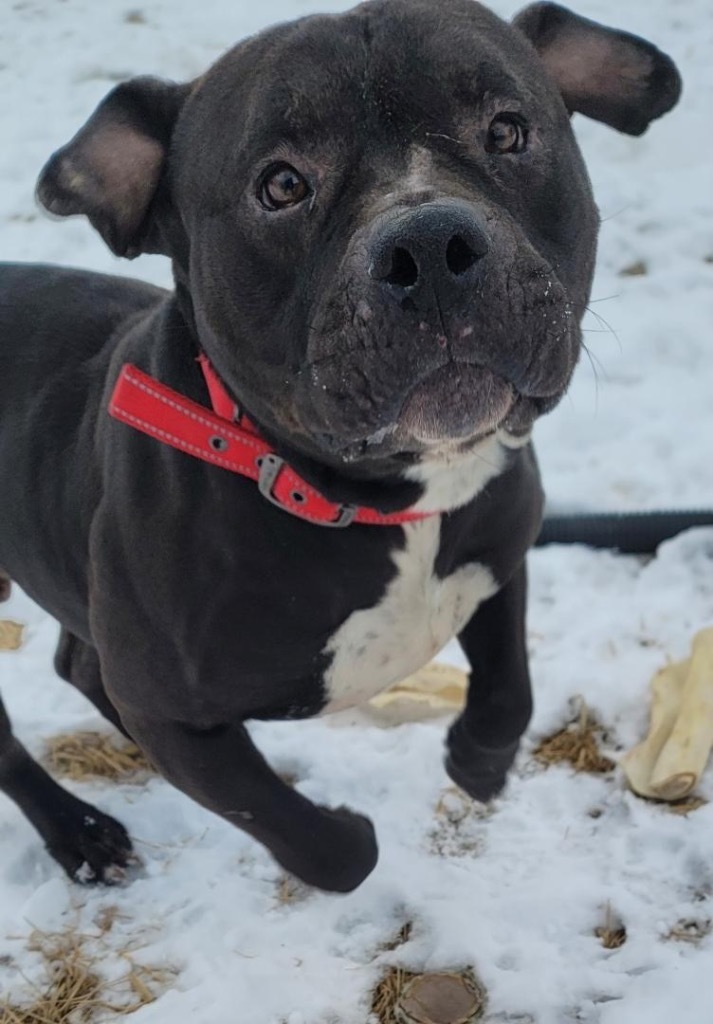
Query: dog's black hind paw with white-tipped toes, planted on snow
(94, 849)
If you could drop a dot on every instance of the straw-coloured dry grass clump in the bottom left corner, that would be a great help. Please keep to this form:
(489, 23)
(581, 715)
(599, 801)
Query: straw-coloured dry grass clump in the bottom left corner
(74, 992)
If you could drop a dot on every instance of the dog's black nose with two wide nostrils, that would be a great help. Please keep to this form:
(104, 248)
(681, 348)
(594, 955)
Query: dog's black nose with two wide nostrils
(434, 247)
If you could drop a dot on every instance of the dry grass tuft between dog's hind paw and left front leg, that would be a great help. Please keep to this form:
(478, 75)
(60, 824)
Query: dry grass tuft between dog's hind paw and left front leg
(82, 756)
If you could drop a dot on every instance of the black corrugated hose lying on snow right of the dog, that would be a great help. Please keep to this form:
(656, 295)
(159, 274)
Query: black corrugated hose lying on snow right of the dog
(631, 533)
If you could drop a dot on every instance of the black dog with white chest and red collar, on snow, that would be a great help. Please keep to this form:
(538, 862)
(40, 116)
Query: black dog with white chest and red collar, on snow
(383, 236)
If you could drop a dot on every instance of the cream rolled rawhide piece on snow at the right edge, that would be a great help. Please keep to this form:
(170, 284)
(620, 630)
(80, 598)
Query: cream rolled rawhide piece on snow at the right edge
(669, 763)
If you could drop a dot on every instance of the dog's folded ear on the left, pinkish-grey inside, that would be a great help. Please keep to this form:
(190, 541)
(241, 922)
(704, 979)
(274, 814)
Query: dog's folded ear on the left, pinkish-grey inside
(112, 168)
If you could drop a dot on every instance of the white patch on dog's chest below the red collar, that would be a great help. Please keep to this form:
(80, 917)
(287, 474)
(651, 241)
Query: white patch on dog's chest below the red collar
(418, 614)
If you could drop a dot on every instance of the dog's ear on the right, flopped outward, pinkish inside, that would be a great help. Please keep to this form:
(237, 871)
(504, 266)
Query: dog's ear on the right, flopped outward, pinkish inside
(607, 75)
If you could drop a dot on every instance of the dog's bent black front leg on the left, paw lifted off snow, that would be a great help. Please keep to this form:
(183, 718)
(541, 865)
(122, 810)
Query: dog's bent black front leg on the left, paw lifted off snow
(223, 771)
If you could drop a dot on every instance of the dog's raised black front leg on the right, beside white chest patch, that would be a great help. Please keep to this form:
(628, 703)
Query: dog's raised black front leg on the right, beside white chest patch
(483, 742)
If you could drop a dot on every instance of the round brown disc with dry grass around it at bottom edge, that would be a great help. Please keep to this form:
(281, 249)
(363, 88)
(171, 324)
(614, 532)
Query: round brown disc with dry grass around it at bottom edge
(448, 998)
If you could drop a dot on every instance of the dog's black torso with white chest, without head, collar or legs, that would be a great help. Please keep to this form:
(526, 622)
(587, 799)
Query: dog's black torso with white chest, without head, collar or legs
(237, 540)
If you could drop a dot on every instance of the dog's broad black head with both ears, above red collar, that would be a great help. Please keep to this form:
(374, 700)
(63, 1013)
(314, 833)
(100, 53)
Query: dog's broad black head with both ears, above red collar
(381, 221)
